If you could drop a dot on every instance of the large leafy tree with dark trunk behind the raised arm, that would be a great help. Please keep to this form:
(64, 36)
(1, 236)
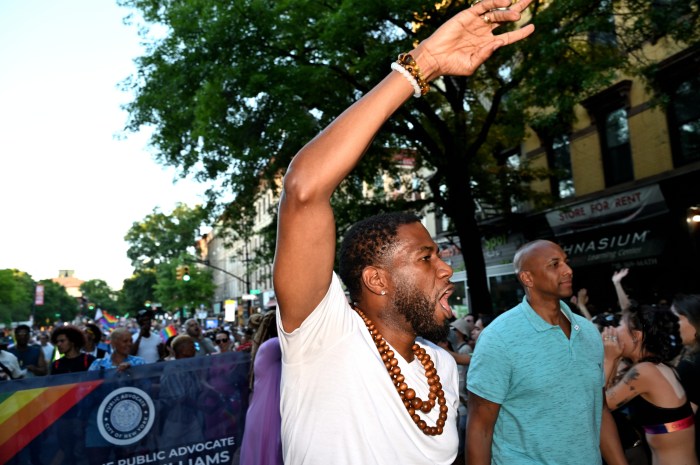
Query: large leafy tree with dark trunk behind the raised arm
(234, 89)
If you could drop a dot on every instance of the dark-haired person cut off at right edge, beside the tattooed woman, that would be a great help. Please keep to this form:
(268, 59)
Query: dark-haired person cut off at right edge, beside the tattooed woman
(687, 309)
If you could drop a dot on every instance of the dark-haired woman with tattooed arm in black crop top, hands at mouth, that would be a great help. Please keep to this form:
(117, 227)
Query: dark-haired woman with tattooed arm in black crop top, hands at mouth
(650, 338)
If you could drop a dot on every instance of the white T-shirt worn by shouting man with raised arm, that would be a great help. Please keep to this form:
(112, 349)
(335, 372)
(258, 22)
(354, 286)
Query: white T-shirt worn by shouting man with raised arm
(339, 404)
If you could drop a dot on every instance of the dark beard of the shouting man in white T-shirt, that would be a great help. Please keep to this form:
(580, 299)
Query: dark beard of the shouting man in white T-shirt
(419, 311)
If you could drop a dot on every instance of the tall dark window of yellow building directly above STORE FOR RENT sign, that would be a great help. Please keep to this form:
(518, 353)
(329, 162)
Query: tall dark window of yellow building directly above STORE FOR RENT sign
(608, 111)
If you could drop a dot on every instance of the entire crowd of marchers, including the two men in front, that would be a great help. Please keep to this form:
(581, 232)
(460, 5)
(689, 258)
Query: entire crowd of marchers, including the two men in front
(366, 379)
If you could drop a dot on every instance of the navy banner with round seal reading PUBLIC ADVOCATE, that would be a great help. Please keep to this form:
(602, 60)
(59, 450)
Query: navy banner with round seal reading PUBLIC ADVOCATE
(181, 412)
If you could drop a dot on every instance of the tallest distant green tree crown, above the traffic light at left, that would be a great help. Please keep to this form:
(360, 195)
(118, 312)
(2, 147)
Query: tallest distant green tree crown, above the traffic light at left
(161, 237)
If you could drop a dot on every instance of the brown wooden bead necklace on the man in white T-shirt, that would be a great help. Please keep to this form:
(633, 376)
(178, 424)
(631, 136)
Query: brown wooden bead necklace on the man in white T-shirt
(408, 395)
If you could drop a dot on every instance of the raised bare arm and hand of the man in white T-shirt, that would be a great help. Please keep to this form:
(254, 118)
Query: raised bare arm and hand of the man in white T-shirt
(306, 226)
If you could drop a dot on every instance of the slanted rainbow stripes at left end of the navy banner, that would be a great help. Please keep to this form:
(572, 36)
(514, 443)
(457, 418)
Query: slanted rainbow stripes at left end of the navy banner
(25, 414)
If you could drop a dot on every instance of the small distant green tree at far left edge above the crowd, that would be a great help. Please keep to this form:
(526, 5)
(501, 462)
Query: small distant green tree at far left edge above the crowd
(16, 295)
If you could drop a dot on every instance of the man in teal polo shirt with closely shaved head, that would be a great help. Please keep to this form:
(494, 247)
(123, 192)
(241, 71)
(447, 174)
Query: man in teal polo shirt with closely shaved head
(536, 377)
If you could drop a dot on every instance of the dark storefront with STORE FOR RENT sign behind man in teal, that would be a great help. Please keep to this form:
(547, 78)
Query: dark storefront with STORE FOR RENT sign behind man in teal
(646, 229)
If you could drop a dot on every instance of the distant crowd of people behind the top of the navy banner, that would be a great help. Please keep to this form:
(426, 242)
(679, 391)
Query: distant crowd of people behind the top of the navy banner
(27, 352)
